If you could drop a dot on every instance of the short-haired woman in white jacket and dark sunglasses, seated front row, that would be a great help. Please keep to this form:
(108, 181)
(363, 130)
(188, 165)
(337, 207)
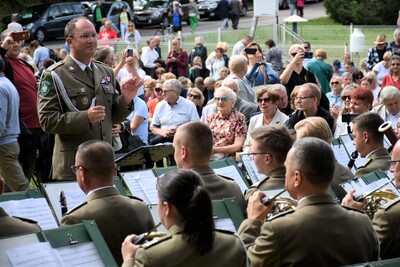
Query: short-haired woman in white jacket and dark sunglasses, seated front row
(268, 102)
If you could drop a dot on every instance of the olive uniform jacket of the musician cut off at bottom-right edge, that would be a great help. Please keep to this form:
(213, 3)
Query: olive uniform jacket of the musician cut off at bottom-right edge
(387, 225)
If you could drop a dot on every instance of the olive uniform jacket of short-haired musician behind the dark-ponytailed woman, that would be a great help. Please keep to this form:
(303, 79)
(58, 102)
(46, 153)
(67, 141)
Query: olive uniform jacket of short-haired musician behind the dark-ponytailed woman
(221, 187)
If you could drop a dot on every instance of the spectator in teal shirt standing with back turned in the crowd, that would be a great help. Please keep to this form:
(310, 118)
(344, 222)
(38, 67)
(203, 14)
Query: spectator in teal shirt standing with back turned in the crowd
(321, 69)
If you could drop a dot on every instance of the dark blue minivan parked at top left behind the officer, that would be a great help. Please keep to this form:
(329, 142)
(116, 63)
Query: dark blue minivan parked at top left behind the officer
(46, 21)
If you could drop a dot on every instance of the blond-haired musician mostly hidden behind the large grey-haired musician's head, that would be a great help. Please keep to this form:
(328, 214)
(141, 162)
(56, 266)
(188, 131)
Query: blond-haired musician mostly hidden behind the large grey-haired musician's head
(318, 127)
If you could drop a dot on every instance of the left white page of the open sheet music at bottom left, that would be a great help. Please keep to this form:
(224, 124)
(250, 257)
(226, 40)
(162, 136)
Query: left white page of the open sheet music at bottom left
(38, 254)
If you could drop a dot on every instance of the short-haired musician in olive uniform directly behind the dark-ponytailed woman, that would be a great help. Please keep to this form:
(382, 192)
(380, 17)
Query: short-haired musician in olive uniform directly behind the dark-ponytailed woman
(193, 144)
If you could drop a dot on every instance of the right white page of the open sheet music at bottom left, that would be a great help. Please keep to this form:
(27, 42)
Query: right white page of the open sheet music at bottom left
(82, 254)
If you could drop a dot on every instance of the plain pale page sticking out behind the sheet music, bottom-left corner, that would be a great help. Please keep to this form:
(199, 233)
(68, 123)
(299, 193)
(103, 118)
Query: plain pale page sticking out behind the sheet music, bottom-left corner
(14, 242)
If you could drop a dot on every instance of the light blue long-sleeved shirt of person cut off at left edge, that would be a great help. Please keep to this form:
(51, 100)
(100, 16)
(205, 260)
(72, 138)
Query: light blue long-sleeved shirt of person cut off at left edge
(9, 110)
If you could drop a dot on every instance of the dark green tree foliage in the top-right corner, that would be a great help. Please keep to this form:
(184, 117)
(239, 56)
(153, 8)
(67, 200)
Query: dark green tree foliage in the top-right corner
(363, 12)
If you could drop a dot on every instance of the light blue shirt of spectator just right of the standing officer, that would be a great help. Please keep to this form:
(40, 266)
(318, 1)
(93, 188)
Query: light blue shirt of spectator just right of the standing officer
(141, 110)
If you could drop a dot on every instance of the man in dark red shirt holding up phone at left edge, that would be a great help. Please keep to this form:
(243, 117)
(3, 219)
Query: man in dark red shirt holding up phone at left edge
(22, 77)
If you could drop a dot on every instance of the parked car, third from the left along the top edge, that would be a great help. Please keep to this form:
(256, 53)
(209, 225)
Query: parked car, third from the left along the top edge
(156, 11)
